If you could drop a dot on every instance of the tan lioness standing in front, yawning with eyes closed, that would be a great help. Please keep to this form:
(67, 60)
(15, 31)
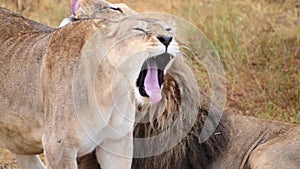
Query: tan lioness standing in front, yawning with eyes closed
(65, 93)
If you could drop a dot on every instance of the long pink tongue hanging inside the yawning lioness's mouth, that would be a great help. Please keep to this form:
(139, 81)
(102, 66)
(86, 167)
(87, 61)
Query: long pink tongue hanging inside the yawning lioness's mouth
(151, 83)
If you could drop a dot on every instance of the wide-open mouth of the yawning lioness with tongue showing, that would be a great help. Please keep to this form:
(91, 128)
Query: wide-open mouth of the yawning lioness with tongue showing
(151, 76)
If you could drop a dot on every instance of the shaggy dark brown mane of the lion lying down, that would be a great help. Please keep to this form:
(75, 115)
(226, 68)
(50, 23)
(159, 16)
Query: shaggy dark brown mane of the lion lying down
(182, 98)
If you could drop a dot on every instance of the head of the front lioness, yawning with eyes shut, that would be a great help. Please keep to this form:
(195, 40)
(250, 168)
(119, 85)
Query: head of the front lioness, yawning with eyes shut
(154, 43)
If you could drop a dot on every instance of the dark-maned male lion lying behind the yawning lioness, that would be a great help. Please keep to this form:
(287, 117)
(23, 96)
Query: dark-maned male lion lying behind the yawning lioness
(239, 142)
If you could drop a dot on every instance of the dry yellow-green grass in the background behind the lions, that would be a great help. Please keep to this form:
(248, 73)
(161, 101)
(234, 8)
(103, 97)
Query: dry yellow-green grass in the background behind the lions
(258, 43)
